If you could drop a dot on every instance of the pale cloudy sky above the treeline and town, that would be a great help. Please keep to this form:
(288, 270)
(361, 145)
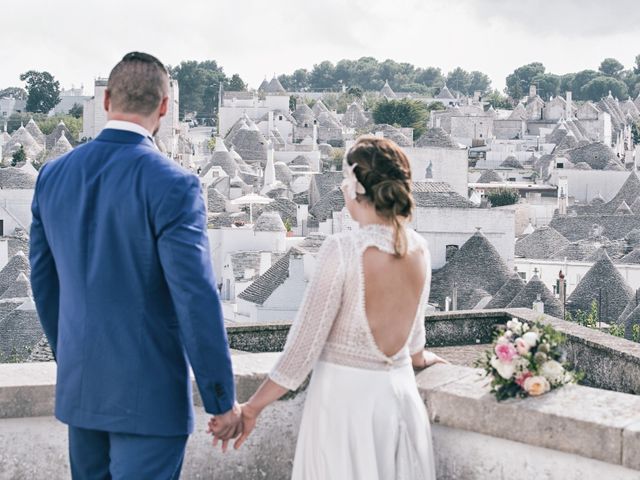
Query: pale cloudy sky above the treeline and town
(78, 41)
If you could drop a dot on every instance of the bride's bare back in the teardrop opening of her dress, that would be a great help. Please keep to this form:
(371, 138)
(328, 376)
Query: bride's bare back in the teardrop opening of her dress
(393, 287)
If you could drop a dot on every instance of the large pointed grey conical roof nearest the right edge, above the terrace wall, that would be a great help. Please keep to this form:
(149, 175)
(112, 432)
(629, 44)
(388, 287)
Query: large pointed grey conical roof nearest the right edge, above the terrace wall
(602, 281)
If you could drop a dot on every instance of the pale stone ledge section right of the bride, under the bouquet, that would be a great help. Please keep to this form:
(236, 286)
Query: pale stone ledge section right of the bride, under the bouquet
(585, 421)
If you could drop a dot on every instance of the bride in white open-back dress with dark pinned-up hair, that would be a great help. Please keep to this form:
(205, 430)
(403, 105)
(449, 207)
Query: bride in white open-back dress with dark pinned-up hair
(360, 328)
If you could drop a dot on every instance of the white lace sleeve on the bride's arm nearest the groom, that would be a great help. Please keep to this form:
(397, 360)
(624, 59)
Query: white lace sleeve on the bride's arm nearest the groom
(316, 315)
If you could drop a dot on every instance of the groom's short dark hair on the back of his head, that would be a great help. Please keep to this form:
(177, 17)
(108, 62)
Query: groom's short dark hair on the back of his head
(138, 83)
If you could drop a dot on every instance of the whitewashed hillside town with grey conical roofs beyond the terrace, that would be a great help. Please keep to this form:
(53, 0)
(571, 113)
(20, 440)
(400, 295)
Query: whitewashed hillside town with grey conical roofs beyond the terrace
(566, 244)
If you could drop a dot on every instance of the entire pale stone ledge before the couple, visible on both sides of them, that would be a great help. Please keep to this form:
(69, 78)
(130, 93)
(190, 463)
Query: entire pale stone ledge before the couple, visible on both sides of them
(588, 422)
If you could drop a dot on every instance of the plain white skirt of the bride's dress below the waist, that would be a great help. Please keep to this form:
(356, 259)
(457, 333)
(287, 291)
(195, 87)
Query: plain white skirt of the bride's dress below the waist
(361, 424)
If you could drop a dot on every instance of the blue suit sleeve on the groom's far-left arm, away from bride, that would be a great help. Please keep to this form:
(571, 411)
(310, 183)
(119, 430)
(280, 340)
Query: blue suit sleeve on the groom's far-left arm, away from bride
(44, 276)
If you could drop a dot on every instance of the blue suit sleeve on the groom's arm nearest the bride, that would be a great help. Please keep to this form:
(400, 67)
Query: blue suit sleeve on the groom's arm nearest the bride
(183, 246)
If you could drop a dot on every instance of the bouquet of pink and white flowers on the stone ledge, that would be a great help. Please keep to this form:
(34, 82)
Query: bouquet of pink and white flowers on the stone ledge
(526, 360)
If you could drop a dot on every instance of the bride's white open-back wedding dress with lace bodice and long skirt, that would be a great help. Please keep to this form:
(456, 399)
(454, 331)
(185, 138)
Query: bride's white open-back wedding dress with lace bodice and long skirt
(363, 418)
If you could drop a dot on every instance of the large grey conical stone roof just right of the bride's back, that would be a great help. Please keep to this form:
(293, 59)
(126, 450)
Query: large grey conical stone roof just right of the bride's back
(477, 265)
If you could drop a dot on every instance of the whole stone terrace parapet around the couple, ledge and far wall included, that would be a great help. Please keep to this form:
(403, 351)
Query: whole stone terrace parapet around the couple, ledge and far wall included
(577, 432)
